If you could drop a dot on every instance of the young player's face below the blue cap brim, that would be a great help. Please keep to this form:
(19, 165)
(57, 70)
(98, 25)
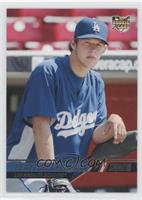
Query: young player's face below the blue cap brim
(89, 51)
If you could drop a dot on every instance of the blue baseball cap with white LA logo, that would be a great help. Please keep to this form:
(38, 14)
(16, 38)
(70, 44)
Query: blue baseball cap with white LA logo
(91, 28)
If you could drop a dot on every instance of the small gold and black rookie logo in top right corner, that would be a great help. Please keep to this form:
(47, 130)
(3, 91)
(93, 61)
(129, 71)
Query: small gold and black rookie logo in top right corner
(121, 24)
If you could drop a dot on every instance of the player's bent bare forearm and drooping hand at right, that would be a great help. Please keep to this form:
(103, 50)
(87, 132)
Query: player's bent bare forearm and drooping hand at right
(113, 128)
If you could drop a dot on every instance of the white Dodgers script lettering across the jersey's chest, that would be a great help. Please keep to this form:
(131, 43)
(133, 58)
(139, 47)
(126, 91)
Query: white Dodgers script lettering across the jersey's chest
(71, 125)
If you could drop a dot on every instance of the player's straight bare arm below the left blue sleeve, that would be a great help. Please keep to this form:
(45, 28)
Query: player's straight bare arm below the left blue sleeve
(43, 137)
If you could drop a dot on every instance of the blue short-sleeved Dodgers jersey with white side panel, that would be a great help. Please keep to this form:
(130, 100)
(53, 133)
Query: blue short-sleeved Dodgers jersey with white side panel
(76, 104)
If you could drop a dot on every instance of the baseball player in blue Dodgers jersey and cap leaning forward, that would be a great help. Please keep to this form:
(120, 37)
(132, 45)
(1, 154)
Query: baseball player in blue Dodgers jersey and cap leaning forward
(63, 108)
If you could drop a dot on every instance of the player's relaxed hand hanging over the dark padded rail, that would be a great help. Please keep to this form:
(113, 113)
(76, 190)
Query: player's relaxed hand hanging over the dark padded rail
(116, 127)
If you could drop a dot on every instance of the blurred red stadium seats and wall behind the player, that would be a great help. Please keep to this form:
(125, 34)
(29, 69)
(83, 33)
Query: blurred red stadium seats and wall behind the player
(37, 34)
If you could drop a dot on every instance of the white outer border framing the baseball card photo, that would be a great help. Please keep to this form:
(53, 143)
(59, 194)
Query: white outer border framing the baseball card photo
(59, 4)
